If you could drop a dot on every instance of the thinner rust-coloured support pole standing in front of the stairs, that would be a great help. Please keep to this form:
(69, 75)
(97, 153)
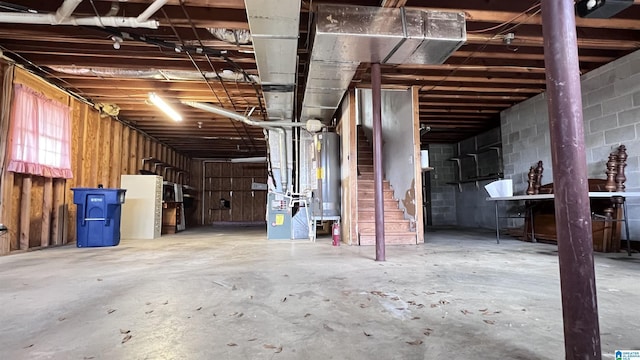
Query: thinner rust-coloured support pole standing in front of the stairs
(376, 92)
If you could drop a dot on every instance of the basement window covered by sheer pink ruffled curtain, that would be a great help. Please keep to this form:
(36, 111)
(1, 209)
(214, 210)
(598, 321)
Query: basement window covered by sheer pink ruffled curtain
(40, 134)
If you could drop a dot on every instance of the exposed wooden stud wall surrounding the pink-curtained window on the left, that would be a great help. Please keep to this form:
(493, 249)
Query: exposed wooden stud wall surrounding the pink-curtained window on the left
(39, 212)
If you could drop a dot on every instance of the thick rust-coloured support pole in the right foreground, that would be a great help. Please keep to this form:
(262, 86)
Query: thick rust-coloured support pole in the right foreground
(573, 218)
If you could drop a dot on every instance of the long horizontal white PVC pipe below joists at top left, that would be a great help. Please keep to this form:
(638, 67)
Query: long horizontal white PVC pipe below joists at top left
(50, 19)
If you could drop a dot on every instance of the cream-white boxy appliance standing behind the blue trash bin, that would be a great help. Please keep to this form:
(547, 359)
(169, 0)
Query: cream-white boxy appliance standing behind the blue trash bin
(142, 212)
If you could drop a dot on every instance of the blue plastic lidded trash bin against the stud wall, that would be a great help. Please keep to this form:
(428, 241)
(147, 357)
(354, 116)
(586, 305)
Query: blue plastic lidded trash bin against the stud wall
(98, 216)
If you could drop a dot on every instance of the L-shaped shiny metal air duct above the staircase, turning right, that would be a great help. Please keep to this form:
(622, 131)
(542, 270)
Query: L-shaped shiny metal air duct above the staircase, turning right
(346, 36)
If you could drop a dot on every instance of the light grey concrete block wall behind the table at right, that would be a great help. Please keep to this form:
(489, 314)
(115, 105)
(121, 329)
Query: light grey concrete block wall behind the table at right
(611, 112)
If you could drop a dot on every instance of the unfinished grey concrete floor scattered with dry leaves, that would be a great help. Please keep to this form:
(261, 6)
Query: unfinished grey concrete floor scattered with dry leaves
(224, 293)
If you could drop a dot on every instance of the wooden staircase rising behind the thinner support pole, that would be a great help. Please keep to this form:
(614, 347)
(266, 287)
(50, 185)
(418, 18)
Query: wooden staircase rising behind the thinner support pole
(397, 230)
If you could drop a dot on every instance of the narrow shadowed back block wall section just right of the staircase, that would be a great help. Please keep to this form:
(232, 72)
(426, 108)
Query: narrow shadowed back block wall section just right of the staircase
(443, 196)
